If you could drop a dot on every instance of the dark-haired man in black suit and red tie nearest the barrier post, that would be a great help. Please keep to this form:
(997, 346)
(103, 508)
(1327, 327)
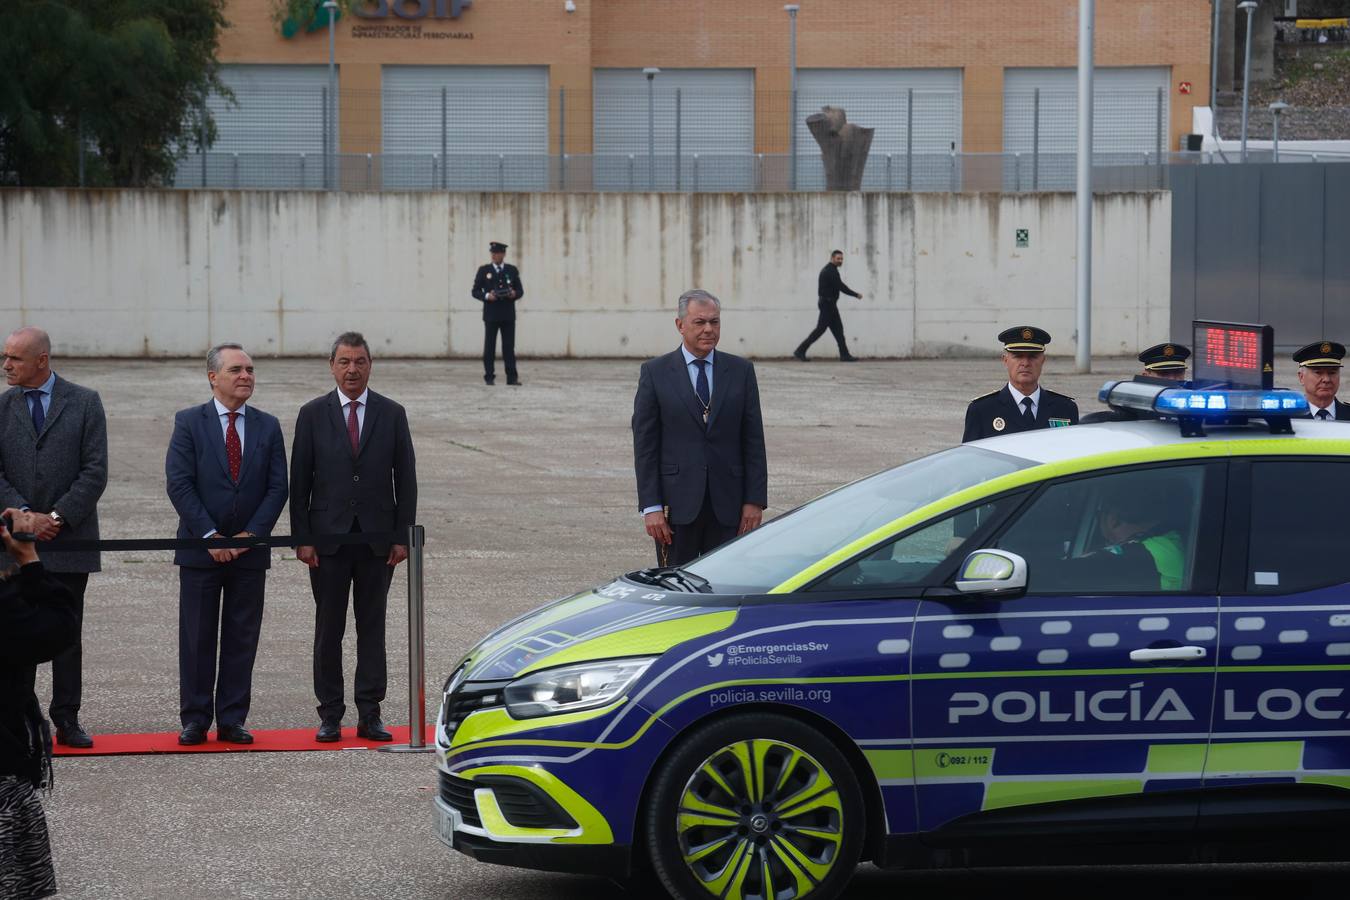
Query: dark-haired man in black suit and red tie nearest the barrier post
(352, 470)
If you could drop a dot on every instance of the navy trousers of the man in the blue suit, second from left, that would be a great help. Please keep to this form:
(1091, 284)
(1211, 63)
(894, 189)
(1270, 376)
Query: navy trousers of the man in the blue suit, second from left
(223, 601)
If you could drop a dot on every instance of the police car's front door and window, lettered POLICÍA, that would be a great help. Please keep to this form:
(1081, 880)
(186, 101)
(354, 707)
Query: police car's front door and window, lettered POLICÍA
(1046, 712)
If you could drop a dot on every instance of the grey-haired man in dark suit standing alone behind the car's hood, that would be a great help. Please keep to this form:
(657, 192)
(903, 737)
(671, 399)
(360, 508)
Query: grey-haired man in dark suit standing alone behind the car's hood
(699, 441)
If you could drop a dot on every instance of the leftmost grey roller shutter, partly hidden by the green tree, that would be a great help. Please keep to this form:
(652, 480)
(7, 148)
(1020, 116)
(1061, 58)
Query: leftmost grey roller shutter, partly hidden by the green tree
(272, 137)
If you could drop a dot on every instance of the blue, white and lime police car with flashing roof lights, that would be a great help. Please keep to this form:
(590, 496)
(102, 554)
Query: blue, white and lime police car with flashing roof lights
(1125, 642)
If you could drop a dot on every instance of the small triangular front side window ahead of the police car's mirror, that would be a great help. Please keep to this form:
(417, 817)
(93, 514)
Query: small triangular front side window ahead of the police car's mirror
(909, 562)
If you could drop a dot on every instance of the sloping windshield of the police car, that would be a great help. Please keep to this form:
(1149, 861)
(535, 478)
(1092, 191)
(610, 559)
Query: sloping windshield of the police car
(769, 557)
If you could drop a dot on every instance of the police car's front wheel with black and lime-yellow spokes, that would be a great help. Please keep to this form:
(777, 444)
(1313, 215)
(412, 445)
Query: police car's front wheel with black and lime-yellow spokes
(755, 808)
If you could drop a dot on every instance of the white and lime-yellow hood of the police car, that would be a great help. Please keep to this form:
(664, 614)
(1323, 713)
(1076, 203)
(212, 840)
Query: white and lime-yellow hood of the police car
(612, 621)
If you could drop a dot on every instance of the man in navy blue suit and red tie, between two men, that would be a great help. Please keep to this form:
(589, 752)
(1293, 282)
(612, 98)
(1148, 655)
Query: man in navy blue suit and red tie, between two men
(226, 474)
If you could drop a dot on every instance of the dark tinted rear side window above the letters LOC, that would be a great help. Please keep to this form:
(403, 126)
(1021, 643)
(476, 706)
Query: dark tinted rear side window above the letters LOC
(1299, 527)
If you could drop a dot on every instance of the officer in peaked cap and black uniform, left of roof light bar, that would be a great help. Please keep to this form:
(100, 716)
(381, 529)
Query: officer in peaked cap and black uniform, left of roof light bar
(1021, 405)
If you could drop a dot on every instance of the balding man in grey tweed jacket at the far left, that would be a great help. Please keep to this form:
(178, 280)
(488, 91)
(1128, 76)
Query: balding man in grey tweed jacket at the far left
(55, 461)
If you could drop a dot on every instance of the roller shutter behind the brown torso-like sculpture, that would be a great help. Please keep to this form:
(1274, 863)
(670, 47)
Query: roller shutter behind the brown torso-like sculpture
(881, 99)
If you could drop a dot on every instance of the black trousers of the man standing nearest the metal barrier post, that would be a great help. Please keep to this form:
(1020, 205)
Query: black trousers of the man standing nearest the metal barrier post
(357, 570)
